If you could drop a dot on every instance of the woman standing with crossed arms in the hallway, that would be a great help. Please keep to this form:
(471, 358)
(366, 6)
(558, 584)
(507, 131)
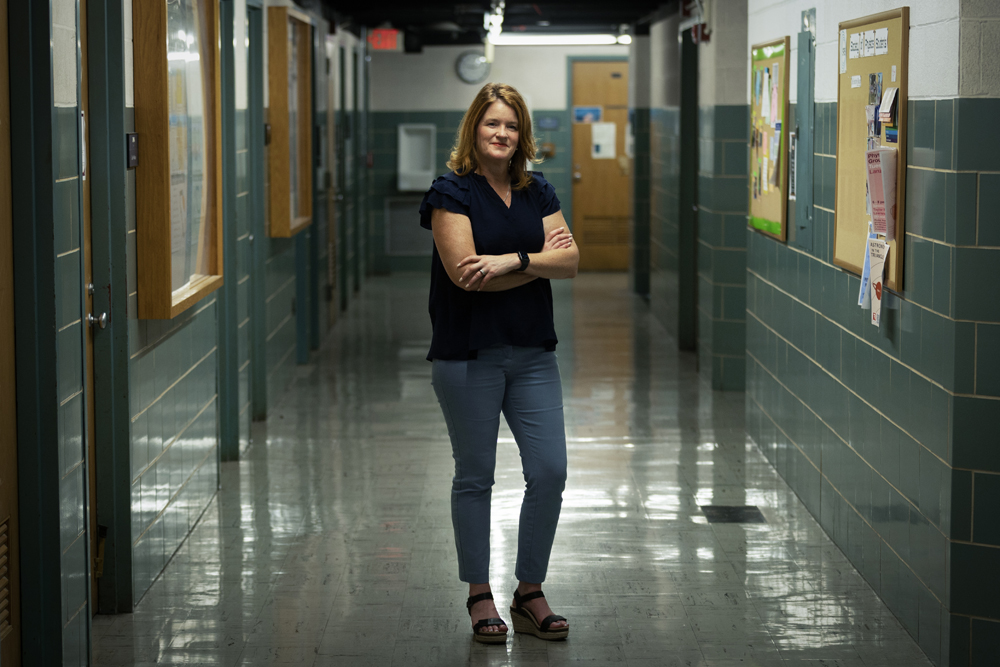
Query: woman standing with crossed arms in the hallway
(499, 236)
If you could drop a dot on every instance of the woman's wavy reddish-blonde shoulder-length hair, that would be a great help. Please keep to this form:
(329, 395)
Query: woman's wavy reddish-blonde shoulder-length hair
(463, 155)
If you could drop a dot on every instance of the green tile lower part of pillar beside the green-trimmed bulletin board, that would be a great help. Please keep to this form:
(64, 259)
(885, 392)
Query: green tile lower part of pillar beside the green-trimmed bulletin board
(722, 233)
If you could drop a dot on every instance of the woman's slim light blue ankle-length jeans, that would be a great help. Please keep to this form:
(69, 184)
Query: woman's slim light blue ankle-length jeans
(524, 384)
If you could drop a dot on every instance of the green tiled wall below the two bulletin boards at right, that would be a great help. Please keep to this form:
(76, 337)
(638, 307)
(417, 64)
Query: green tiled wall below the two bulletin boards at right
(888, 434)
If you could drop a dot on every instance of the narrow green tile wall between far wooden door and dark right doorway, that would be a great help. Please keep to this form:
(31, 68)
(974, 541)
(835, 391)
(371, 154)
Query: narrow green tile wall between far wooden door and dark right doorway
(664, 231)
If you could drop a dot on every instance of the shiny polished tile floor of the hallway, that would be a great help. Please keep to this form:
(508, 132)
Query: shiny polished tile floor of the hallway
(330, 543)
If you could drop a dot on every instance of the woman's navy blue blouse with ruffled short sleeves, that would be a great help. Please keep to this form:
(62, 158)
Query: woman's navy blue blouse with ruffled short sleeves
(465, 322)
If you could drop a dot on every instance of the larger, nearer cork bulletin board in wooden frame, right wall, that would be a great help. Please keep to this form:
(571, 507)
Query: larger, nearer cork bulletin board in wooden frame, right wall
(871, 47)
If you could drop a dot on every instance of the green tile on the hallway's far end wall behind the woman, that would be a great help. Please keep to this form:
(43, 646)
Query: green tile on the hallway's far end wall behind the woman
(382, 177)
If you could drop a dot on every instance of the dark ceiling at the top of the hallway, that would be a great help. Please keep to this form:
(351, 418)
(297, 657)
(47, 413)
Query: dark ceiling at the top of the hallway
(431, 23)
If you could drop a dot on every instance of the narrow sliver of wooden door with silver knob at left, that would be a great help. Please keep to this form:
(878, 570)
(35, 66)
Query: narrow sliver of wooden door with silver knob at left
(88, 308)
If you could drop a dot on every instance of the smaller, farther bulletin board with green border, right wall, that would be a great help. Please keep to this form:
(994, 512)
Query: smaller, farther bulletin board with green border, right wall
(769, 137)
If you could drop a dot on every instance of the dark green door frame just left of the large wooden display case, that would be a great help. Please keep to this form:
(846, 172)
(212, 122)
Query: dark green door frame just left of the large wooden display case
(108, 174)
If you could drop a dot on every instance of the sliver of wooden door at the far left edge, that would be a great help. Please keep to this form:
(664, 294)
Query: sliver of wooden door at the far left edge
(10, 575)
